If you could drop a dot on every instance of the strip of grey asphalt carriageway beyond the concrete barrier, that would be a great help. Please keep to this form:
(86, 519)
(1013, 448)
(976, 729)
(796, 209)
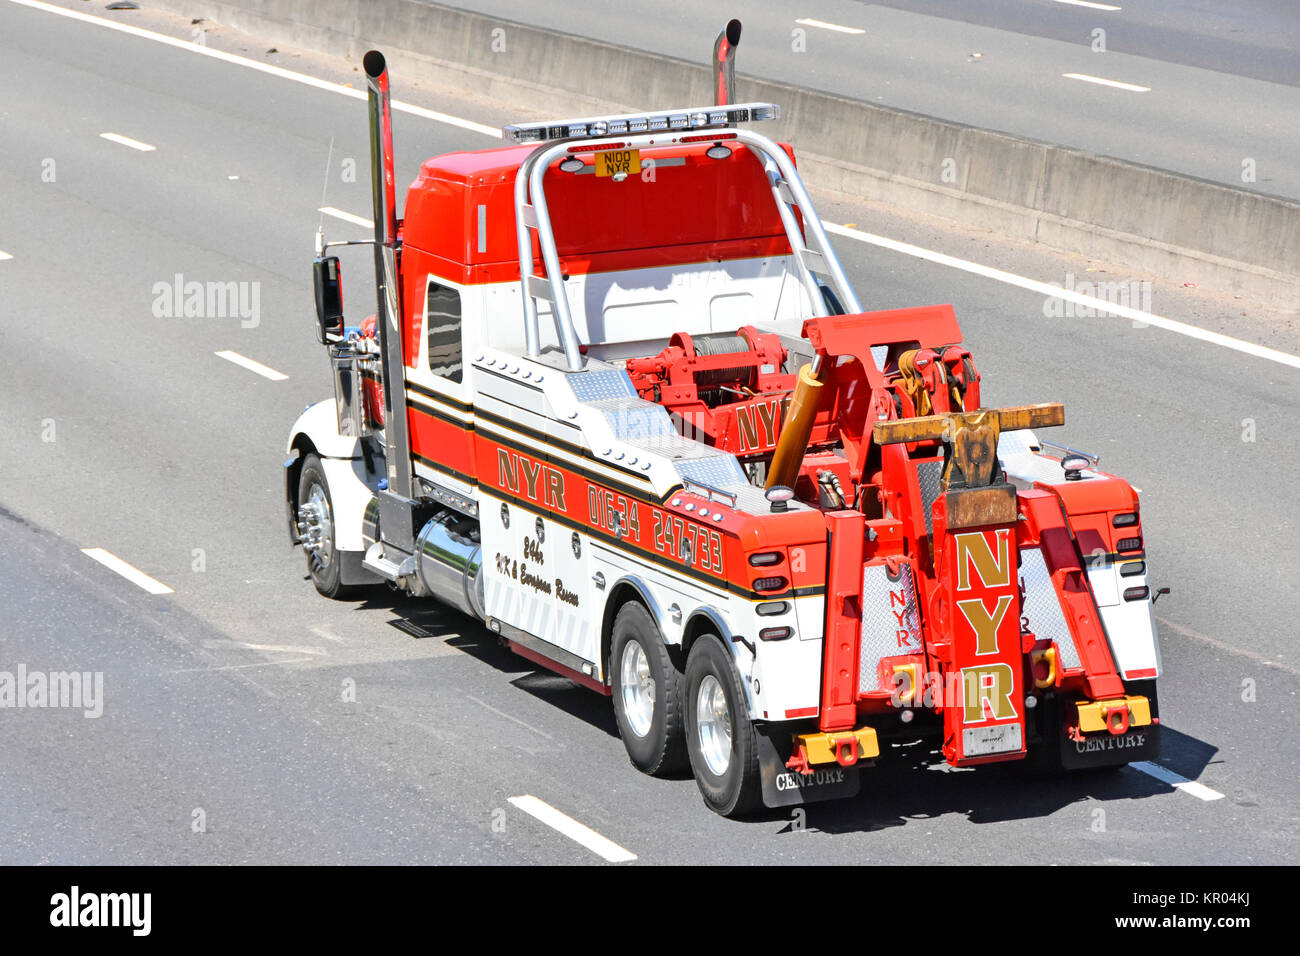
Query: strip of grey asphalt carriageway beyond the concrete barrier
(1220, 84)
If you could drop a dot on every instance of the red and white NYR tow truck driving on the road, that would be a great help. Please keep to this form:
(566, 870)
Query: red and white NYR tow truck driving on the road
(622, 404)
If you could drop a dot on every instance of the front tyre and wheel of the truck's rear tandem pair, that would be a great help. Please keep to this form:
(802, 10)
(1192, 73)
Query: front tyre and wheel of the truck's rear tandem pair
(647, 694)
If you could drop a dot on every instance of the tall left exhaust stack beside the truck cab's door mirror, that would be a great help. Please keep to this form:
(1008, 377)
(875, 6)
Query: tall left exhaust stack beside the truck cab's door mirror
(389, 313)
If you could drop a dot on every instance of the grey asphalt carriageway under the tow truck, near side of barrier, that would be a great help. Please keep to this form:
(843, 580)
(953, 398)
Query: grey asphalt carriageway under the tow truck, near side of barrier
(248, 720)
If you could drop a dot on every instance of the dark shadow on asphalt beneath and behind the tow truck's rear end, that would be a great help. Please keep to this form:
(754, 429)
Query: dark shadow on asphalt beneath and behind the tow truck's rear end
(916, 786)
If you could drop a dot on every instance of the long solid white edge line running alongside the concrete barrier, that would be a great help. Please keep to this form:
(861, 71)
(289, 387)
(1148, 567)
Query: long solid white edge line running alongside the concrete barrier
(952, 262)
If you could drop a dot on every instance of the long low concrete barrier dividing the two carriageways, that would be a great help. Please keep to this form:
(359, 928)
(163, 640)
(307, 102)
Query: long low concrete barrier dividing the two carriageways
(1149, 220)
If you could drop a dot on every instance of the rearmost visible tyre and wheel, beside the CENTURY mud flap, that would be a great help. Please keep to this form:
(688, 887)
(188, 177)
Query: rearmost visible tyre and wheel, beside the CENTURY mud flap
(726, 769)
